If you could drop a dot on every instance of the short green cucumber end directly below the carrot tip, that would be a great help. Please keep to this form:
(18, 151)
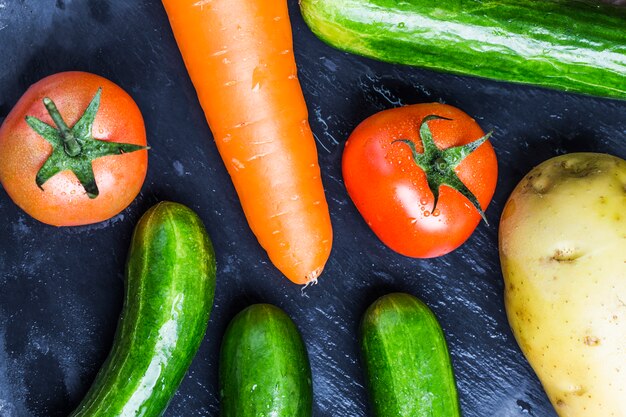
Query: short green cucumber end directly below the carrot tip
(264, 366)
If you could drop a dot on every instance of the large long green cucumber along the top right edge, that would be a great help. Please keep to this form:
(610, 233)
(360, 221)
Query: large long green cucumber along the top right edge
(567, 45)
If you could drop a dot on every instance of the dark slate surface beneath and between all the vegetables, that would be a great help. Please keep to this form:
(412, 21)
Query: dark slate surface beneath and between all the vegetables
(61, 289)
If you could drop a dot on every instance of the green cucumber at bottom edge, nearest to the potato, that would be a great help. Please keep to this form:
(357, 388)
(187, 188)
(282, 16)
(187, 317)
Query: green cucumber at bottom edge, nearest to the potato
(406, 360)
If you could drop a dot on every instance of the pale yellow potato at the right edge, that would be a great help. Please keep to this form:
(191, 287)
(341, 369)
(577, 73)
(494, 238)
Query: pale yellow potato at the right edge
(563, 255)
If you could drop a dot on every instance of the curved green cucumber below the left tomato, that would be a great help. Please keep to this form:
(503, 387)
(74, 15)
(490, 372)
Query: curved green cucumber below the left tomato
(170, 283)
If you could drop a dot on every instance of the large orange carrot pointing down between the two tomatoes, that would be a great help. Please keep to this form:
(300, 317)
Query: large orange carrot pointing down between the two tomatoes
(239, 55)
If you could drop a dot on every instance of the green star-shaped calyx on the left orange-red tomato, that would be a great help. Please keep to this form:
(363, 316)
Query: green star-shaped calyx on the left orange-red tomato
(75, 148)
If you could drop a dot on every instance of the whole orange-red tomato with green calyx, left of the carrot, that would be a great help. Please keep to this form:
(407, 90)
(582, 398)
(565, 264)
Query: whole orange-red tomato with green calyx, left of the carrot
(76, 175)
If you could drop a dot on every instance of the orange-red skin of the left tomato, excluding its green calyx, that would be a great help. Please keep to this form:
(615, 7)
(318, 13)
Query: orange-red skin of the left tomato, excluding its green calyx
(63, 201)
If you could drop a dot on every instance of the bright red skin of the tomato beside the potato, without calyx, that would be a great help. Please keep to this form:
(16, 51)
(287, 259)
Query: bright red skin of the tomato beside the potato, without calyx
(390, 190)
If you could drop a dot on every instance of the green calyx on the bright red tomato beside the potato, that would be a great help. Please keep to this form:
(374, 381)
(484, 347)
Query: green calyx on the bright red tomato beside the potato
(439, 165)
